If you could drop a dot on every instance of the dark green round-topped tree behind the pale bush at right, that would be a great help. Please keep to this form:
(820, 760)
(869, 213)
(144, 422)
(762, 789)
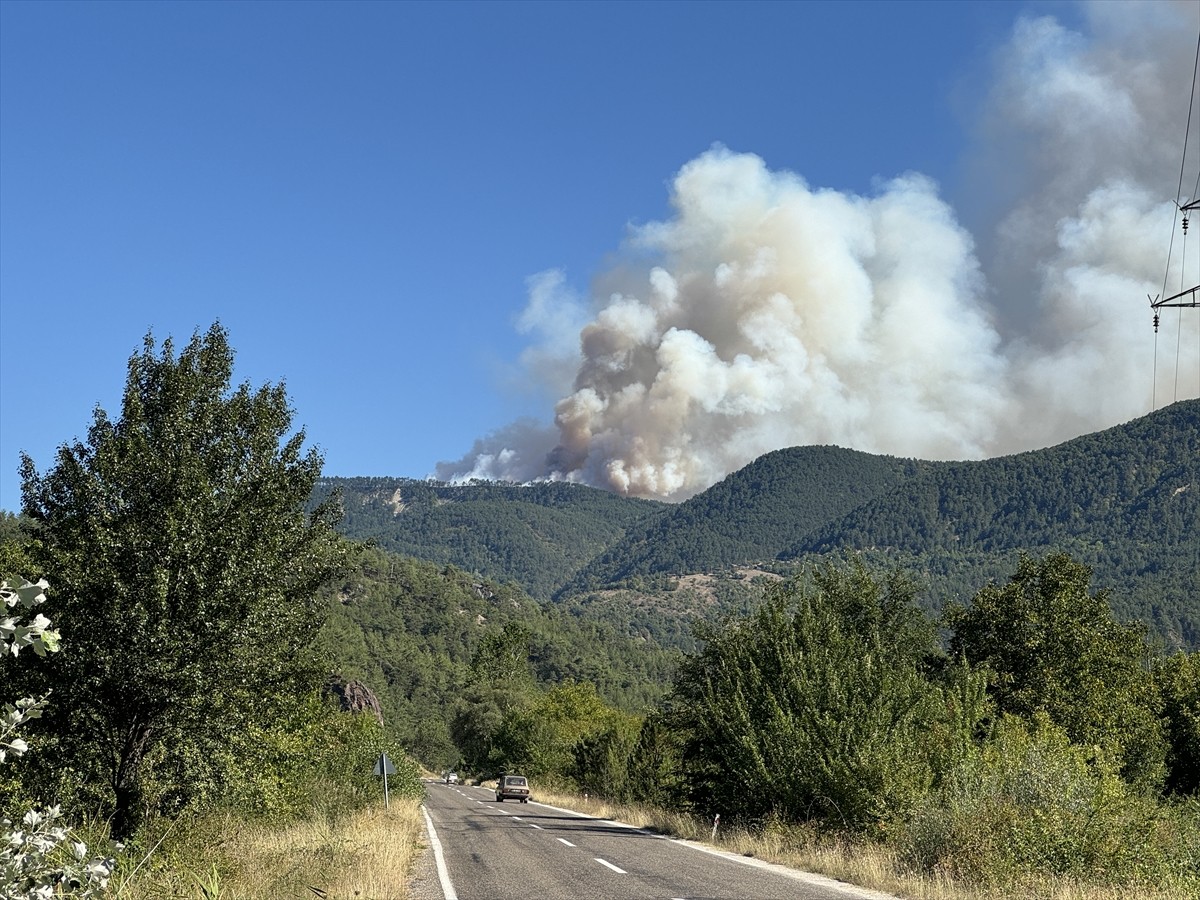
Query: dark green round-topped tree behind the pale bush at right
(1055, 649)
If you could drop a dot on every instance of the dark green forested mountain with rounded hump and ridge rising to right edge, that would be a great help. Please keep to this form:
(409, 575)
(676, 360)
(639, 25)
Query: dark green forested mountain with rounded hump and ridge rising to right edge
(1125, 501)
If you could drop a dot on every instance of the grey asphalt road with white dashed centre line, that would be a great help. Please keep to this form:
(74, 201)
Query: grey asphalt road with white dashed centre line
(530, 851)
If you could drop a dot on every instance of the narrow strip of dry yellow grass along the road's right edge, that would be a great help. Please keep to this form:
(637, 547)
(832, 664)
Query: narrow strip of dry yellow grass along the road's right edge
(869, 866)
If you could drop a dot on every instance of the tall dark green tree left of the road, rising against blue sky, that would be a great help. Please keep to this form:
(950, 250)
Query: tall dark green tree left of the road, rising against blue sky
(187, 569)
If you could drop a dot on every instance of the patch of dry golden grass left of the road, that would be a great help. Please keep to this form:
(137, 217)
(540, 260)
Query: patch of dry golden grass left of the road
(363, 856)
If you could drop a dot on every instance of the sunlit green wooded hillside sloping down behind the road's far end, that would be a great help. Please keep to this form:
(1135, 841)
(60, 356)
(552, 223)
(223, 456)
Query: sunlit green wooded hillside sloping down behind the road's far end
(411, 629)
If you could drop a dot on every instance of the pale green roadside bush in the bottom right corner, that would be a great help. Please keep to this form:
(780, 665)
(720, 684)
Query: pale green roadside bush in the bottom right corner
(1029, 803)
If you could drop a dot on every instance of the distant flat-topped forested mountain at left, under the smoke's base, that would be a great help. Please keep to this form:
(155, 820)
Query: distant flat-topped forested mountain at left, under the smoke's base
(538, 536)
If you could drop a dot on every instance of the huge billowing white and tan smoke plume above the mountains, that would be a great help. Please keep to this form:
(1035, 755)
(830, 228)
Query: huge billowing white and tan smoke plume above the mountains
(776, 314)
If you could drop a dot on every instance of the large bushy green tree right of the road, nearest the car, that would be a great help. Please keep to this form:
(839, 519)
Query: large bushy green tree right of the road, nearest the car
(818, 705)
